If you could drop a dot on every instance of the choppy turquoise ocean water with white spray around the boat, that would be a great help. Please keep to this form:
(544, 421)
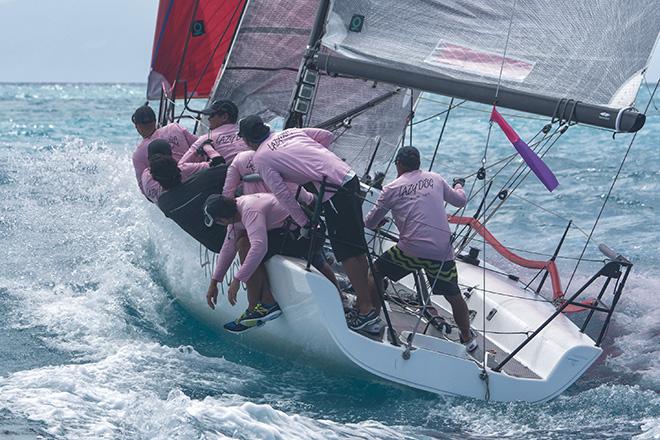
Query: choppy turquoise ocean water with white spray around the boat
(93, 345)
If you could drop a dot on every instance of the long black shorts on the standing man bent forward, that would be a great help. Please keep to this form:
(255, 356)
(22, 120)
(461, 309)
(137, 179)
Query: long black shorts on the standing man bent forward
(343, 216)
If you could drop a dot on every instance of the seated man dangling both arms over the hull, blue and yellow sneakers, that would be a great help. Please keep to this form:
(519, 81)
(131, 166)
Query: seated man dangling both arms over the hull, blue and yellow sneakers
(265, 223)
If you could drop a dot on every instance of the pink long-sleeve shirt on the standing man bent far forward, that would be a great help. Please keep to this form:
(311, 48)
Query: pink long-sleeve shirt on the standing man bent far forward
(299, 156)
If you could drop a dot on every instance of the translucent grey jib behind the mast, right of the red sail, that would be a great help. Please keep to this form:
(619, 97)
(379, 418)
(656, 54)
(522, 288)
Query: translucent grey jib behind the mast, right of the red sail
(261, 74)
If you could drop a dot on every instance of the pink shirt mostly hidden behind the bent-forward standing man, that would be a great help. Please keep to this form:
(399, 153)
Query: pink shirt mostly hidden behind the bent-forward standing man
(243, 165)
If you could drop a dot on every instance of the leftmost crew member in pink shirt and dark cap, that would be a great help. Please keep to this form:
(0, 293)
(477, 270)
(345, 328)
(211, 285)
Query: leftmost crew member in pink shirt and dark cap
(178, 137)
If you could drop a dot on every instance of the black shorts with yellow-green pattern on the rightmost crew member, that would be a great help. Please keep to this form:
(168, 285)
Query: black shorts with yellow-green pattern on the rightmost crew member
(442, 275)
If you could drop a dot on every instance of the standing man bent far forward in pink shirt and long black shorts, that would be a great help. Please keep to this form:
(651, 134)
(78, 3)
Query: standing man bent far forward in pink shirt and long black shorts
(301, 156)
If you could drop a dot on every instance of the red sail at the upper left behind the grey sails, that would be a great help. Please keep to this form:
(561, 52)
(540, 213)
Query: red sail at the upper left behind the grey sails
(191, 43)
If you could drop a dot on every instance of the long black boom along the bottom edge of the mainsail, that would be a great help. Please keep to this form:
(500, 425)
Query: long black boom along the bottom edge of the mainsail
(624, 120)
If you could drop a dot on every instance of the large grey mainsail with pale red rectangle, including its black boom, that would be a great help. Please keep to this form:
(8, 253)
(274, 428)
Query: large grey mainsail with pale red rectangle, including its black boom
(591, 52)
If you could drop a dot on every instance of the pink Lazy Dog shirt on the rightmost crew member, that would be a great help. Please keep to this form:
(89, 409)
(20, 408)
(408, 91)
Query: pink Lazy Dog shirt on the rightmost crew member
(417, 200)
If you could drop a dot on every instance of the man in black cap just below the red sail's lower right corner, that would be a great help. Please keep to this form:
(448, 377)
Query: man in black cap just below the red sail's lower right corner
(222, 136)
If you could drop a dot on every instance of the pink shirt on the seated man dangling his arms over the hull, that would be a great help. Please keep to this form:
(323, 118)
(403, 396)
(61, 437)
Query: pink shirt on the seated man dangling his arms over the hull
(259, 214)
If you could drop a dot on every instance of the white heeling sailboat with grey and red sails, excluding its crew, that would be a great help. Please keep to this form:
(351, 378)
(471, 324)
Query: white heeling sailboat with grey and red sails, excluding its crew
(358, 68)
